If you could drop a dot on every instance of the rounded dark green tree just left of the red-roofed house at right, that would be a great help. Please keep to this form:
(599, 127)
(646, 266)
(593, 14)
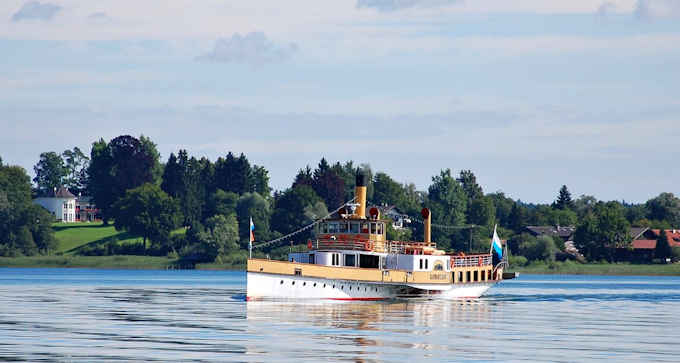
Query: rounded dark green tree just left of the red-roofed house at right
(602, 231)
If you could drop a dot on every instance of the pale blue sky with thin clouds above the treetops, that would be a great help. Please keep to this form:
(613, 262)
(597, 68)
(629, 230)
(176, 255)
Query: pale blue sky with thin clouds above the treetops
(528, 94)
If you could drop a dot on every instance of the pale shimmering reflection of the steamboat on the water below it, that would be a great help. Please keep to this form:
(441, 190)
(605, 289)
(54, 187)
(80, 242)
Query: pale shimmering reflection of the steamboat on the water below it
(405, 327)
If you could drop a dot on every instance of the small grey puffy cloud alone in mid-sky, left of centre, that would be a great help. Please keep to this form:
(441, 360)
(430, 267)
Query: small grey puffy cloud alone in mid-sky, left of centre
(252, 48)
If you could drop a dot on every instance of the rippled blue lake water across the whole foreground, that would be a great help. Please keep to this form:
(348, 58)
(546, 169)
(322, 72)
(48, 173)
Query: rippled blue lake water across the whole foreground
(110, 315)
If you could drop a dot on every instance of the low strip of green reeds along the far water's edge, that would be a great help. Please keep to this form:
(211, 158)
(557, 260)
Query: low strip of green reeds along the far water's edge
(132, 262)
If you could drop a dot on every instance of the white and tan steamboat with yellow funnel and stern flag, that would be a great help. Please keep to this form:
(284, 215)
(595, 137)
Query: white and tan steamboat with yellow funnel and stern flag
(351, 259)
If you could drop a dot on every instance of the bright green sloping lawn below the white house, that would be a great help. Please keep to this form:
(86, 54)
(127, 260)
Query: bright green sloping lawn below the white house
(70, 236)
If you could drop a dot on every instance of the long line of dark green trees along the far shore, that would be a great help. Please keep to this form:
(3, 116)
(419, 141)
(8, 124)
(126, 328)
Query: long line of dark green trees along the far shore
(214, 201)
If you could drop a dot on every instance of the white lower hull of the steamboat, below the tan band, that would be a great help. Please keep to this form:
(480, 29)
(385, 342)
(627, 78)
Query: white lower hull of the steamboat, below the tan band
(275, 286)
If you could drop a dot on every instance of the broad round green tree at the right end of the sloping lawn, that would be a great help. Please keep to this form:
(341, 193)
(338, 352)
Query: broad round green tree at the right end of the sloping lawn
(149, 212)
